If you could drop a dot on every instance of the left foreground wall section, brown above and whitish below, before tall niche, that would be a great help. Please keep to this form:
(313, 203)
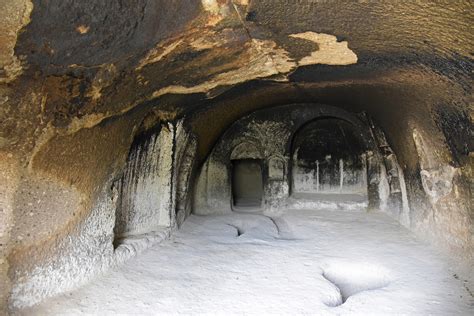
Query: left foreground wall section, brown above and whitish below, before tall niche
(45, 261)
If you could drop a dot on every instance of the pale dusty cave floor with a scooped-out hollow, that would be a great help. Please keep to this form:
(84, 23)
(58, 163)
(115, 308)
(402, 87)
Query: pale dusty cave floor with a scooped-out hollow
(304, 262)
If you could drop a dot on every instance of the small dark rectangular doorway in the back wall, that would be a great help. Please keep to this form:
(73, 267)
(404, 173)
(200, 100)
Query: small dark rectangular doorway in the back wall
(247, 183)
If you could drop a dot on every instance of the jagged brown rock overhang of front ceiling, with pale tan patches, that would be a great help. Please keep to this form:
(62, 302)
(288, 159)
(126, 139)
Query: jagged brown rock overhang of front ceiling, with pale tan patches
(91, 61)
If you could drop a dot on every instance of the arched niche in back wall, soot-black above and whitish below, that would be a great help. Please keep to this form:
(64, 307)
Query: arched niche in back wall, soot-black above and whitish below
(328, 161)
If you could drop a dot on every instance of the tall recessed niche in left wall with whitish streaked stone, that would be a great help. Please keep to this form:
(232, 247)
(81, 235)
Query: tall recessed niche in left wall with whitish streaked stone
(146, 185)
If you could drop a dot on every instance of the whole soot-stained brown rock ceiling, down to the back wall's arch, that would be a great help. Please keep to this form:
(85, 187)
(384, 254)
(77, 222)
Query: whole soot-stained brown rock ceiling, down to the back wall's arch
(74, 65)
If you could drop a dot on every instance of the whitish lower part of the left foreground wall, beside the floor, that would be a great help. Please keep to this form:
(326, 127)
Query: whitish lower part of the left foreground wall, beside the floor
(86, 251)
